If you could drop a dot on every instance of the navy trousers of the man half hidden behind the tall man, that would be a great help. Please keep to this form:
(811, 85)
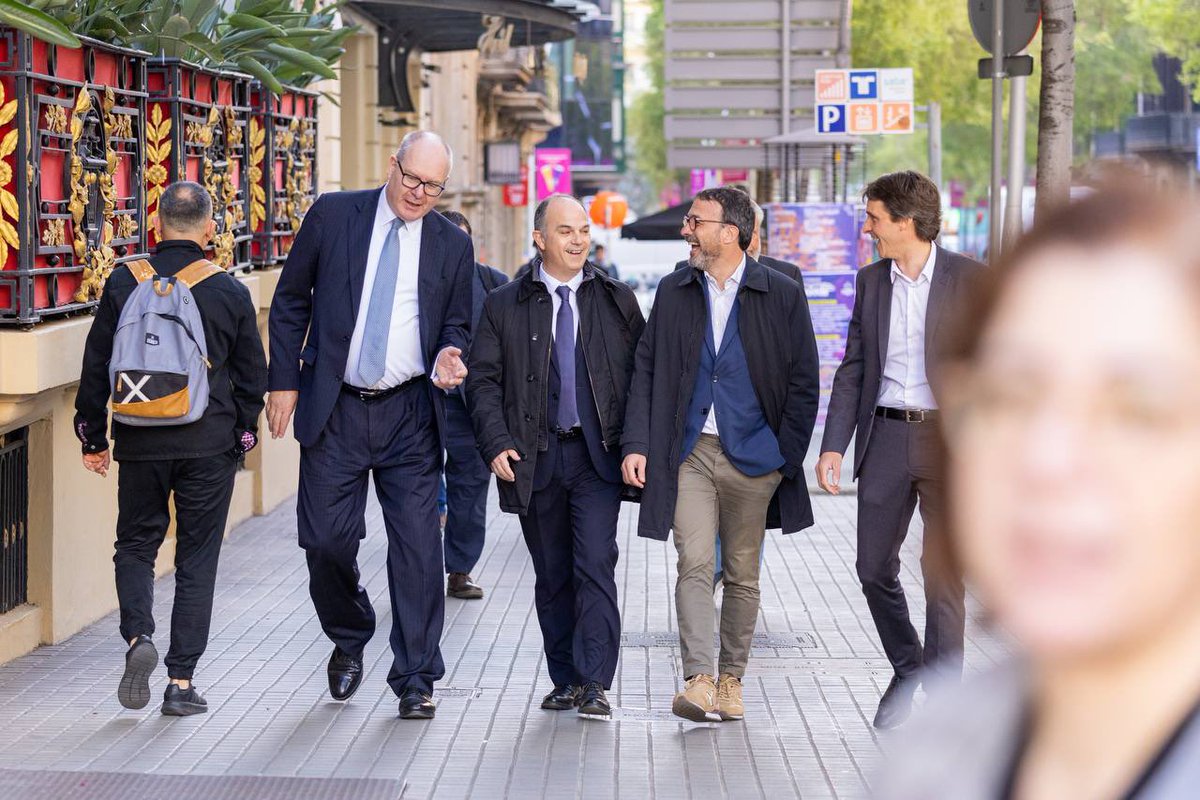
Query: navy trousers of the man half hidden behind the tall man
(467, 480)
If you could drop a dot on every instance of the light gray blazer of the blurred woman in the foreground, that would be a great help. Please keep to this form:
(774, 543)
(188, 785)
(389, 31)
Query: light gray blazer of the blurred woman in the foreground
(962, 745)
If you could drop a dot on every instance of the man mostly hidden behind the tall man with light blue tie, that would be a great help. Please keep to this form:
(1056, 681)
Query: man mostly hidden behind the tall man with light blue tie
(467, 477)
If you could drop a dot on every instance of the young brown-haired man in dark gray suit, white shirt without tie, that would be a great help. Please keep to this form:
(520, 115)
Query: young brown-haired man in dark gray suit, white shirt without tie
(883, 390)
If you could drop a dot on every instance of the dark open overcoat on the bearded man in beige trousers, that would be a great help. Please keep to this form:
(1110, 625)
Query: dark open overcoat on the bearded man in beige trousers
(782, 356)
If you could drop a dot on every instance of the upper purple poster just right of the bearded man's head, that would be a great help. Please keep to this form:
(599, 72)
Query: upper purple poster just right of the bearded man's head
(818, 237)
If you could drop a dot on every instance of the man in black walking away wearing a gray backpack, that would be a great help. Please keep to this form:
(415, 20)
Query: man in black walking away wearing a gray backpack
(176, 346)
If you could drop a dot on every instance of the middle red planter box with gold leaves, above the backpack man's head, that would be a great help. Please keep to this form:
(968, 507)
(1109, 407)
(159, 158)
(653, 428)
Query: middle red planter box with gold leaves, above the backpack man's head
(197, 129)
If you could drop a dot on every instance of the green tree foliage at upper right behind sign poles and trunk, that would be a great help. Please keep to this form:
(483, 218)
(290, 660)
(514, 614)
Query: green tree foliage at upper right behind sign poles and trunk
(1113, 63)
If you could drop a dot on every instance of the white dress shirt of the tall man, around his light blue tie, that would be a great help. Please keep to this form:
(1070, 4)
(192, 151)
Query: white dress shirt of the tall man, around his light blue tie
(405, 358)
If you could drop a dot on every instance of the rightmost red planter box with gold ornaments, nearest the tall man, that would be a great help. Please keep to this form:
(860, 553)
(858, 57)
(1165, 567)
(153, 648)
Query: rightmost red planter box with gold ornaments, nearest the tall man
(283, 169)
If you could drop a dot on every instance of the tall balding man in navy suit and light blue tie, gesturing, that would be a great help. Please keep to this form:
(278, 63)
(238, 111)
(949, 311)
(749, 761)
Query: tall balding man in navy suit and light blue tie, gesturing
(369, 324)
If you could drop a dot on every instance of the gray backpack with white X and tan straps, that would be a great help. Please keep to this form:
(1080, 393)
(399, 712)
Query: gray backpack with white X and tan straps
(160, 366)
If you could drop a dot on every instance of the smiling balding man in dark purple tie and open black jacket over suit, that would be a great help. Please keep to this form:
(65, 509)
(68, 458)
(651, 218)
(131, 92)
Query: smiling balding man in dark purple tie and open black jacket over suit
(550, 371)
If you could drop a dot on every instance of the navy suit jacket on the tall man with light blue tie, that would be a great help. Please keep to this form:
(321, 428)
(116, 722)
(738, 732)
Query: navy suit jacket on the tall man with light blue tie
(317, 302)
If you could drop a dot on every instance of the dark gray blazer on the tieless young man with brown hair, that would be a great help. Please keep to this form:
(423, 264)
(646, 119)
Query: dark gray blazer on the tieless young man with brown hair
(856, 387)
